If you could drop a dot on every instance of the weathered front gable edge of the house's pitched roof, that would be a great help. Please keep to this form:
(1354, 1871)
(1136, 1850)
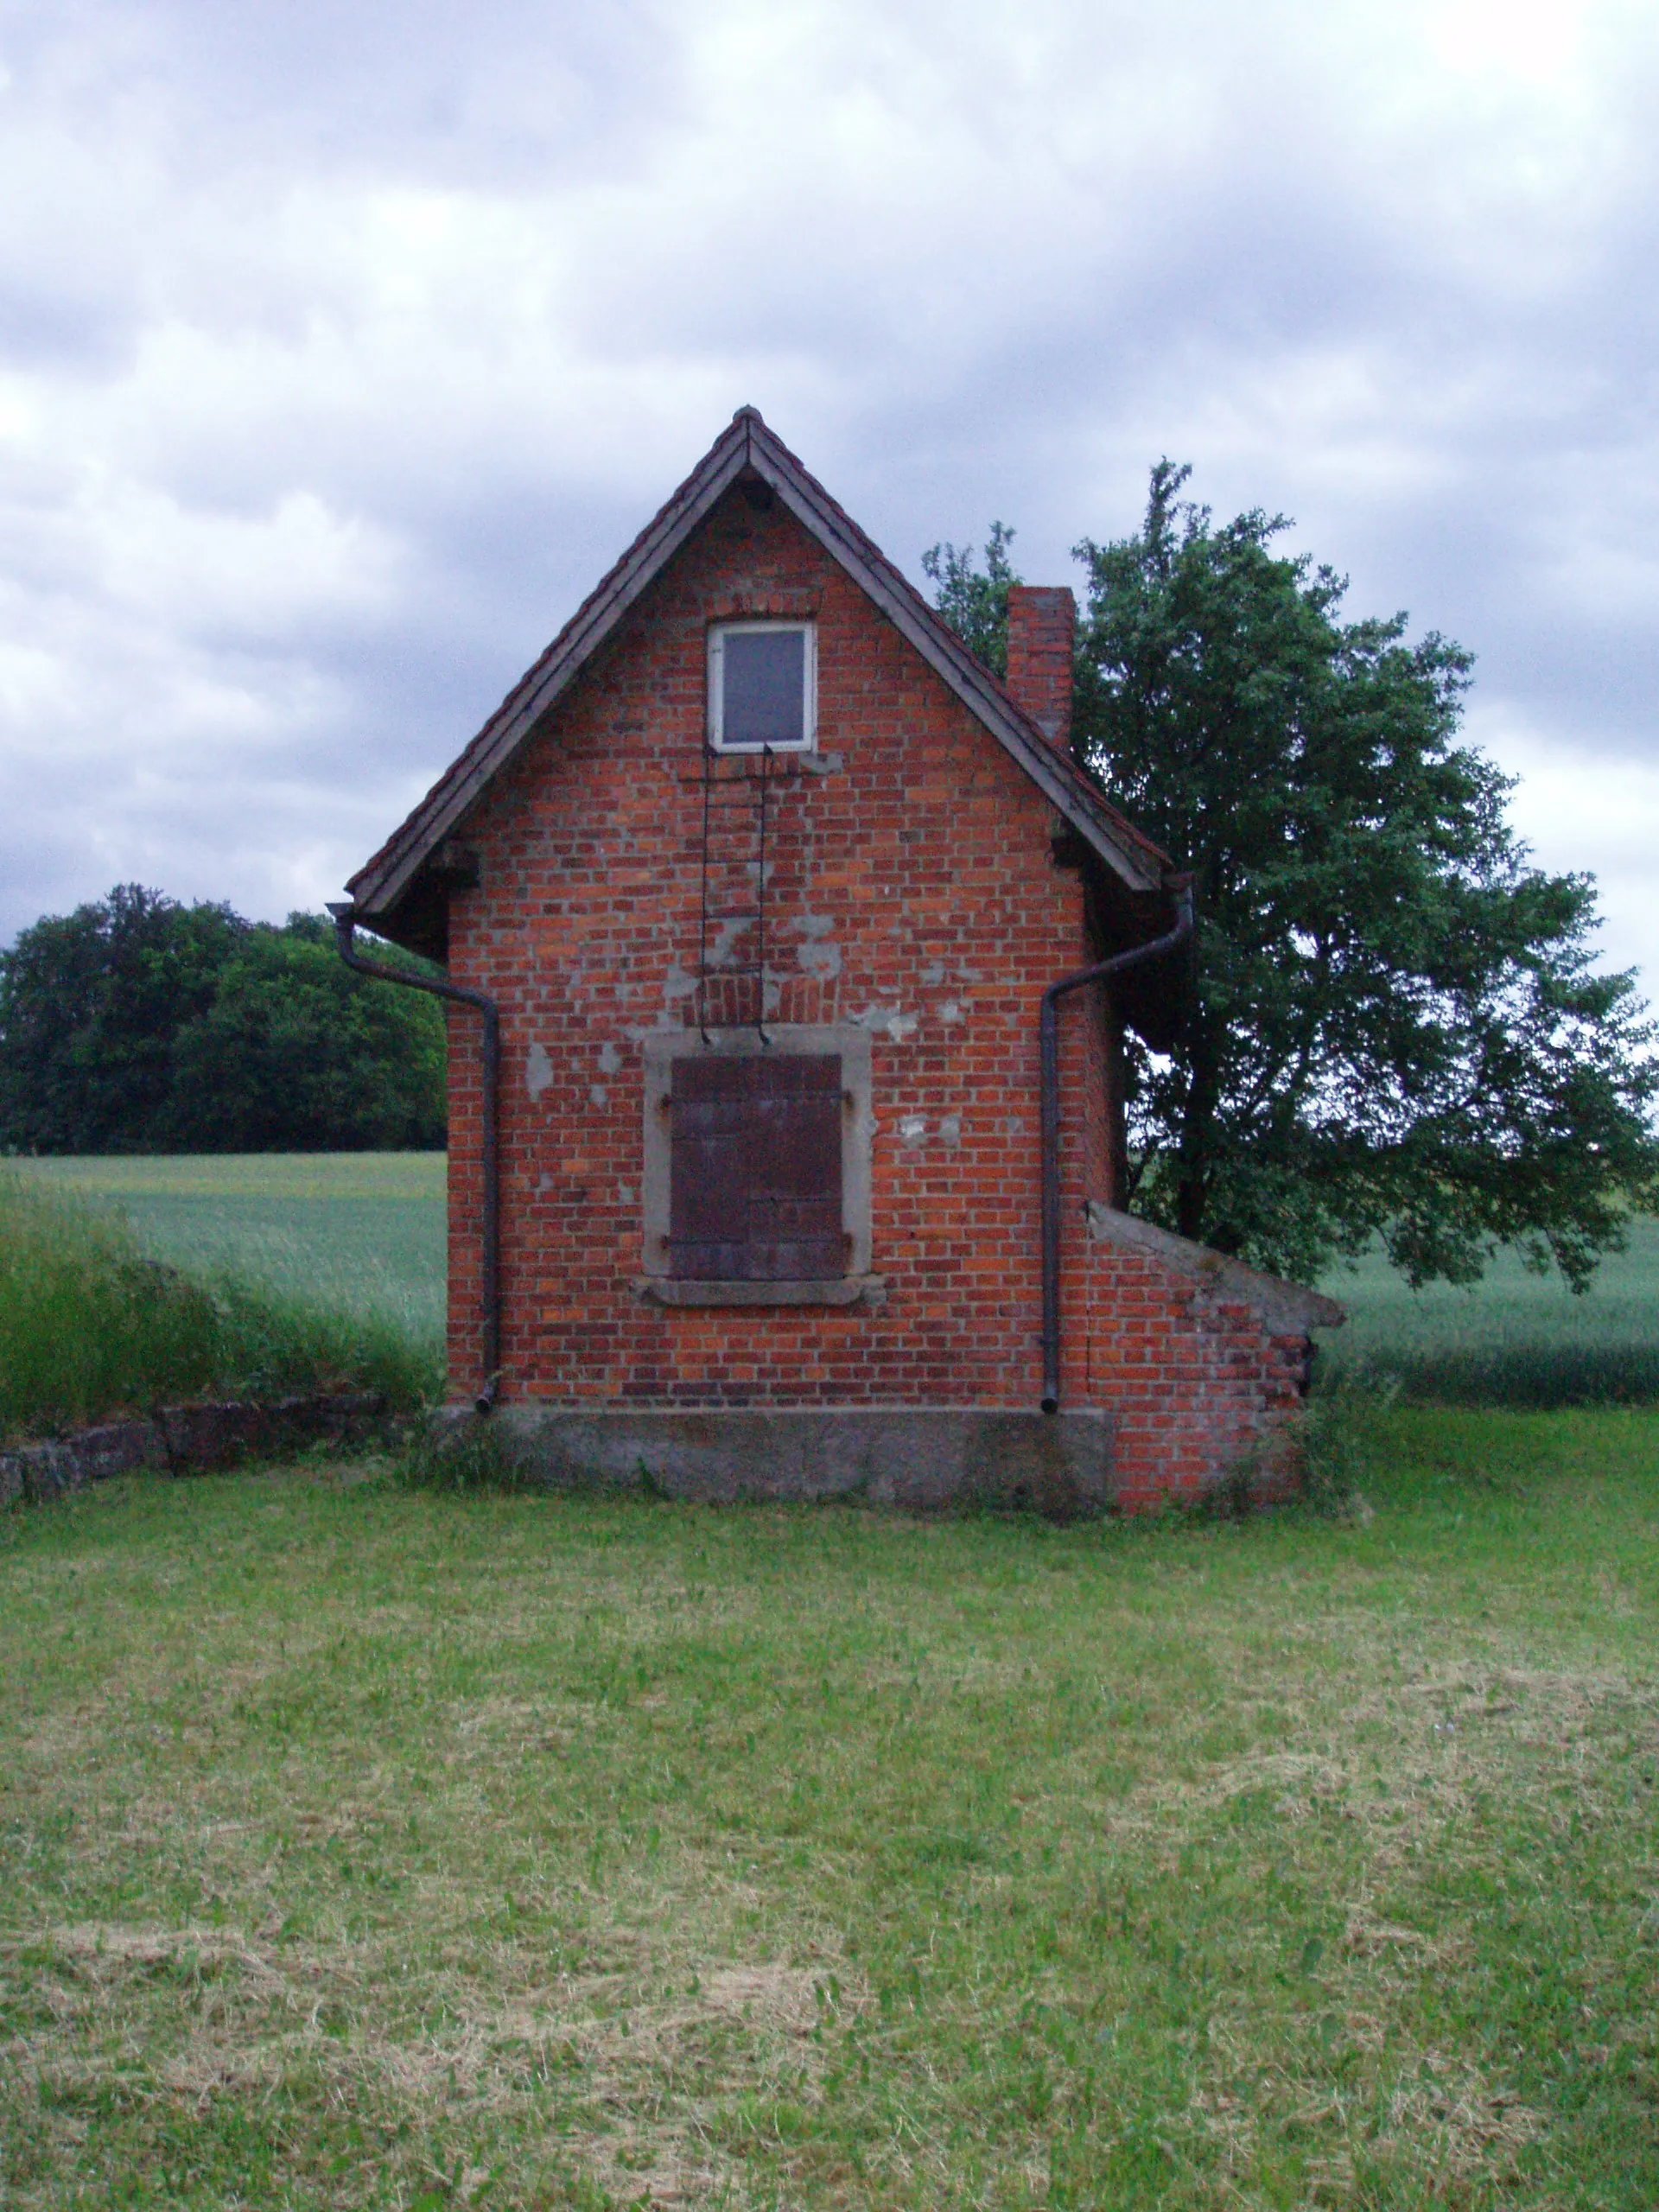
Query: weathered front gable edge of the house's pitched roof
(749, 448)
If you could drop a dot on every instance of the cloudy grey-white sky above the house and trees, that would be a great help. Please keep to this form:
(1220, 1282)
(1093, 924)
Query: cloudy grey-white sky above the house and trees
(346, 342)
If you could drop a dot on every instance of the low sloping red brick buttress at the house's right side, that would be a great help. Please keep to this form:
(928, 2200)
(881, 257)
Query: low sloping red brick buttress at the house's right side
(1200, 1359)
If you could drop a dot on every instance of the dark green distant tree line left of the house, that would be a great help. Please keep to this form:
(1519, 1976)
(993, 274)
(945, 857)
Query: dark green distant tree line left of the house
(140, 1025)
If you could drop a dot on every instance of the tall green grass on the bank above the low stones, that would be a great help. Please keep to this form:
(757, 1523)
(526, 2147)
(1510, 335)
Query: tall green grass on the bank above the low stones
(92, 1326)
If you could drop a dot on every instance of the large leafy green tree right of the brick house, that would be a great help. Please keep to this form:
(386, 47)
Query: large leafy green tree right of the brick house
(1397, 1027)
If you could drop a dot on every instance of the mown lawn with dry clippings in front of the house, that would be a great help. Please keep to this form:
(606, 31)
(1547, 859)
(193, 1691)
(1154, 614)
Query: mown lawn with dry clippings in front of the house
(377, 1848)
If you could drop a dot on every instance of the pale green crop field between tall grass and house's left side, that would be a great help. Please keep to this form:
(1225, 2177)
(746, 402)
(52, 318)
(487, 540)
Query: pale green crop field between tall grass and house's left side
(340, 1229)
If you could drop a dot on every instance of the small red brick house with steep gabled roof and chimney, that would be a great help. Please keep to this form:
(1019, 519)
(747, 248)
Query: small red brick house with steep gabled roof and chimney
(780, 908)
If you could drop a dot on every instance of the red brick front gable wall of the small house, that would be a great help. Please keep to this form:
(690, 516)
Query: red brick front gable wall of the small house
(910, 888)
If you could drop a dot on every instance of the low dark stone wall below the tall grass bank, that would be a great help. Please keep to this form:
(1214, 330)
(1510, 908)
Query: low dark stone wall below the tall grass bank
(182, 1441)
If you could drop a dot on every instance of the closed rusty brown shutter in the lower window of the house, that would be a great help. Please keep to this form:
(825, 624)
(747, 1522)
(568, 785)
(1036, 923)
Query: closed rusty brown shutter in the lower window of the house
(758, 1169)
